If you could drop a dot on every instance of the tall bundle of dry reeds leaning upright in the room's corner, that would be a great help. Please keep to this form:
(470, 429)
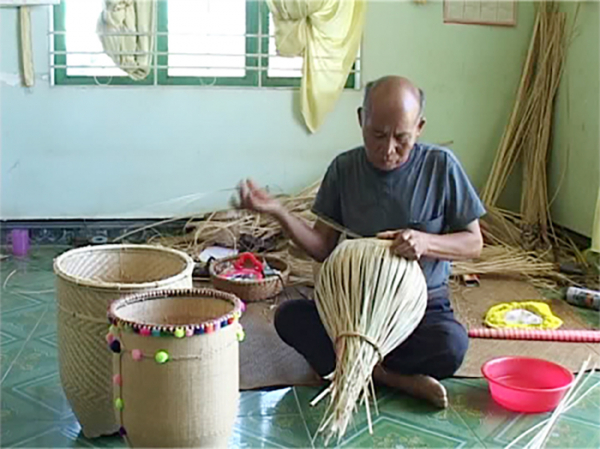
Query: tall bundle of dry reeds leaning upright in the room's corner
(527, 136)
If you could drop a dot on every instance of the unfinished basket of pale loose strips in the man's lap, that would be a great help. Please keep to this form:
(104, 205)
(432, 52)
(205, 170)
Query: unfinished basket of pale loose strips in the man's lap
(370, 301)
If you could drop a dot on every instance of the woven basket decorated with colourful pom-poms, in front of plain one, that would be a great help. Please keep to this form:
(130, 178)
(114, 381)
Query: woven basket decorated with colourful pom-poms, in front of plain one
(176, 367)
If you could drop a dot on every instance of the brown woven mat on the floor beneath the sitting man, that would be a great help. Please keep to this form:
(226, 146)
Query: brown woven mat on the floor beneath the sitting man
(265, 361)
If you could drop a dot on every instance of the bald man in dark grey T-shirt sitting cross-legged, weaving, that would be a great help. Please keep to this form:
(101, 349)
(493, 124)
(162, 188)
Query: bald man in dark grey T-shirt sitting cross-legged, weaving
(395, 188)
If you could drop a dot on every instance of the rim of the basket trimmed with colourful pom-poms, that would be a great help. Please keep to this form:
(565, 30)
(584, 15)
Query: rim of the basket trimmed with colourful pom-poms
(195, 293)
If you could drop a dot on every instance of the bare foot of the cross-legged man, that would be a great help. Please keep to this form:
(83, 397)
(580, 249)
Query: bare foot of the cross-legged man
(419, 385)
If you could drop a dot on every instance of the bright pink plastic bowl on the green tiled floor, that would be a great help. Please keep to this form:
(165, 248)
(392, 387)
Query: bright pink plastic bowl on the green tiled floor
(527, 385)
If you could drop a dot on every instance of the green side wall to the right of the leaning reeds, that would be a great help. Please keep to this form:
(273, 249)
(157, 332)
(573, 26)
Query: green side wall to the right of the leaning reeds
(575, 165)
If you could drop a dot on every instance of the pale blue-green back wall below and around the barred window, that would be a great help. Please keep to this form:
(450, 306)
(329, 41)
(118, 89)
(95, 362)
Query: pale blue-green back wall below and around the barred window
(93, 152)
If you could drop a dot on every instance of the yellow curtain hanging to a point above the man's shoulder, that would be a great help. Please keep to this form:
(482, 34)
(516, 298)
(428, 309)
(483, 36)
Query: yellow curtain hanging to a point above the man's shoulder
(327, 34)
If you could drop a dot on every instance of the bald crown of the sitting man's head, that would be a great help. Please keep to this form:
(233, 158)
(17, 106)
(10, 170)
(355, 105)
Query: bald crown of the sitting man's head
(394, 88)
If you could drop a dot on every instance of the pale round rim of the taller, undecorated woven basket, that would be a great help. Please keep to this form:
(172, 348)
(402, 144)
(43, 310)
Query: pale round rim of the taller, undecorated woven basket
(131, 247)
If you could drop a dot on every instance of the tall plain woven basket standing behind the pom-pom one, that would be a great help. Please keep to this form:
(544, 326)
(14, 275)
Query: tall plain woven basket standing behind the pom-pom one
(87, 281)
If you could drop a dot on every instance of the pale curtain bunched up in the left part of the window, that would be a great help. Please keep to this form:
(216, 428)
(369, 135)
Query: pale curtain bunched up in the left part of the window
(129, 16)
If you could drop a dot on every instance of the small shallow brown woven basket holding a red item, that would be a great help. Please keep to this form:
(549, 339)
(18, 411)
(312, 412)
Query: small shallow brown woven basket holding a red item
(251, 291)
